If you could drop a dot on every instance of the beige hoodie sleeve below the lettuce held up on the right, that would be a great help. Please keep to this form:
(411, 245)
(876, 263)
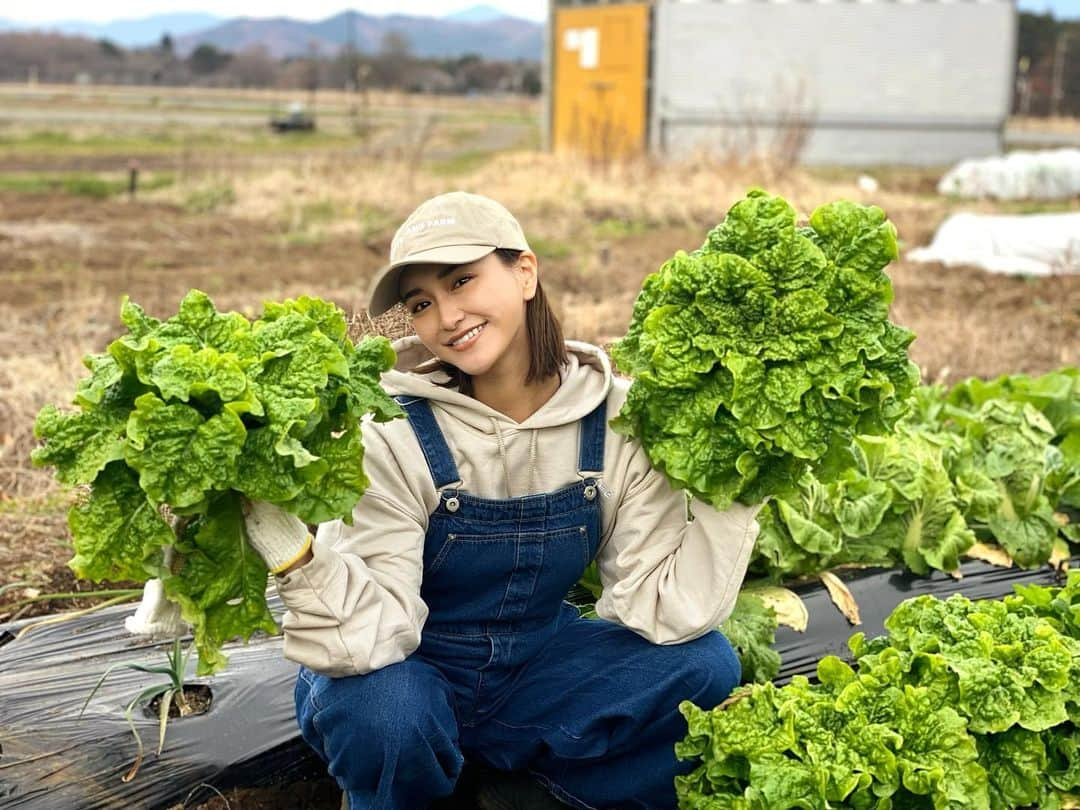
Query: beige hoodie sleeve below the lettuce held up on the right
(670, 576)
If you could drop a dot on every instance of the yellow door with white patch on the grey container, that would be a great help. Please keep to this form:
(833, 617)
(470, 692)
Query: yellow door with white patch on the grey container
(601, 65)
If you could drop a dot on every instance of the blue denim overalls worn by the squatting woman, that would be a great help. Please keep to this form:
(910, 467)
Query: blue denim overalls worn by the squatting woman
(507, 672)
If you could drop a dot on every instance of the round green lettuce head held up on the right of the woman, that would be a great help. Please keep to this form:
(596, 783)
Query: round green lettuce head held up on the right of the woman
(764, 354)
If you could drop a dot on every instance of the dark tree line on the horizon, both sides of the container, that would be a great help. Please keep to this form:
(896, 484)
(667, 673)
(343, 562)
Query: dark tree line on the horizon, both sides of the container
(1047, 72)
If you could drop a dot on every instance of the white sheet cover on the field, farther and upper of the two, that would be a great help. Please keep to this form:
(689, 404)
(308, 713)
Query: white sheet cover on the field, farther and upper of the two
(1050, 174)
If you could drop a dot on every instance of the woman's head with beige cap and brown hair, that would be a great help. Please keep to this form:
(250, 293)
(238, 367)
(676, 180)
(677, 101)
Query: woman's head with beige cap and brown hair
(488, 320)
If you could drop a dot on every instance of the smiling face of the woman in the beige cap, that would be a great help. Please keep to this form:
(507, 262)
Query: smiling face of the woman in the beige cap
(471, 316)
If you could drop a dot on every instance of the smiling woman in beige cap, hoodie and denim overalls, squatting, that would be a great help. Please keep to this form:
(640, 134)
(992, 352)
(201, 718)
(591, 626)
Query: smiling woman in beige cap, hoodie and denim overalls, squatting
(435, 627)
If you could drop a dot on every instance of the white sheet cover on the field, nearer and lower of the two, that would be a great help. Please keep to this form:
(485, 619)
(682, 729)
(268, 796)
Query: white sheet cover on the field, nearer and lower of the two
(1032, 245)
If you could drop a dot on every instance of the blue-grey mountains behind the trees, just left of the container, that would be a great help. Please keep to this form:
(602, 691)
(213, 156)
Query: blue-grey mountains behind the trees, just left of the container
(501, 38)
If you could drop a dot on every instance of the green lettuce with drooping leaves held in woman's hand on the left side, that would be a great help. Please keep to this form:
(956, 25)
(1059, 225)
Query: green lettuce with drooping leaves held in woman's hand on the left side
(183, 418)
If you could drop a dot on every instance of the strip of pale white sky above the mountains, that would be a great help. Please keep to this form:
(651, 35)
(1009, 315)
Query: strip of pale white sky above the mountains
(106, 11)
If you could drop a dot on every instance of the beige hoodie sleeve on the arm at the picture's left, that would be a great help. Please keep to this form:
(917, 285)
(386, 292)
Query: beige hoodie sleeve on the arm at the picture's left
(356, 606)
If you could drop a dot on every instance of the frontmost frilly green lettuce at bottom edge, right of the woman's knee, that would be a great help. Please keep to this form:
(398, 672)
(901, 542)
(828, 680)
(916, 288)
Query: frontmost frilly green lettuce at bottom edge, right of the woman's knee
(848, 741)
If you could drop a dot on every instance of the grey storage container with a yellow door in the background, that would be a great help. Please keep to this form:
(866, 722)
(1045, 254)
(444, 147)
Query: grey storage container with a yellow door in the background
(853, 83)
